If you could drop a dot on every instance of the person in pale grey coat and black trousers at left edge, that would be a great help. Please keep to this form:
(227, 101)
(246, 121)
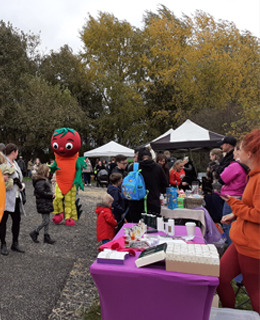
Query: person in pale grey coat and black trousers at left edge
(14, 205)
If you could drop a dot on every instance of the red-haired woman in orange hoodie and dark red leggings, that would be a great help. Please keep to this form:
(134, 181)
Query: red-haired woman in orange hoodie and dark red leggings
(243, 255)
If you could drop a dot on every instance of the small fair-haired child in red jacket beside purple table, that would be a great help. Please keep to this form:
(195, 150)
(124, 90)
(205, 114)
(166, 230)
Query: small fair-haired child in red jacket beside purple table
(105, 219)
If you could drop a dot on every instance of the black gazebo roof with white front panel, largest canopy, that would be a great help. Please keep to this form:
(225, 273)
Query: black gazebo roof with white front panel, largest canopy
(188, 136)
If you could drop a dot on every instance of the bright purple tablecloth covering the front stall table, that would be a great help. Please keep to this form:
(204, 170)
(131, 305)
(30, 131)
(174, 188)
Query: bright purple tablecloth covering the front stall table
(130, 293)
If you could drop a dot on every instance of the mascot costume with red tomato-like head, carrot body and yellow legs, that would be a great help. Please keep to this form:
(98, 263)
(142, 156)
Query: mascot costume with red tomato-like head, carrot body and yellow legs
(65, 143)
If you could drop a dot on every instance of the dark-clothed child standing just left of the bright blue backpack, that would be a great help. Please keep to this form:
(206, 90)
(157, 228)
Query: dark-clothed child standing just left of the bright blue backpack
(113, 189)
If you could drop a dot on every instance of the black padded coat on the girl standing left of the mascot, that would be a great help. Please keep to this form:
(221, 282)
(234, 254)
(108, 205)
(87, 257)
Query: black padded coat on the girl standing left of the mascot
(44, 195)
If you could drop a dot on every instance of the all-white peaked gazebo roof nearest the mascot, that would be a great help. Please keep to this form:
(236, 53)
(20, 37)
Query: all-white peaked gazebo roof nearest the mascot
(110, 149)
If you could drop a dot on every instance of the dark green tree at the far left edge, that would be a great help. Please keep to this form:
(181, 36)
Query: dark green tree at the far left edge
(15, 48)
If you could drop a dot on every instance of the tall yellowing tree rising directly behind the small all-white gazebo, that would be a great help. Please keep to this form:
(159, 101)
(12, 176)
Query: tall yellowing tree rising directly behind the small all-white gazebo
(112, 61)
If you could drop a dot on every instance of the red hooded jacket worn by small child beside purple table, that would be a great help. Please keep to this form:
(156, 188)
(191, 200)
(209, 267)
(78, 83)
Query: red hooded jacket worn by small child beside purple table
(105, 223)
